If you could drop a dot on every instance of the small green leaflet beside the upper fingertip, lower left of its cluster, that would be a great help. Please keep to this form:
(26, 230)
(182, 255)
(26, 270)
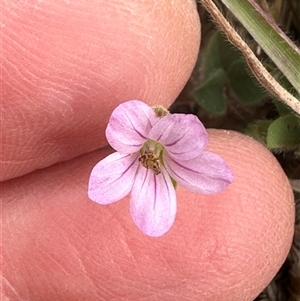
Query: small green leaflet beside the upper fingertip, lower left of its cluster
(210, 94)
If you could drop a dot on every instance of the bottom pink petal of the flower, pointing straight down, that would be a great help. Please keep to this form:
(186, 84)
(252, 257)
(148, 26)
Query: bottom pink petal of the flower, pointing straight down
(153, 202)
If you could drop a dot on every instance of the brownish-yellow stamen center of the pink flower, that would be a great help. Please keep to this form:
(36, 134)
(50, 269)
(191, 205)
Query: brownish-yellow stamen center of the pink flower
(151, 156)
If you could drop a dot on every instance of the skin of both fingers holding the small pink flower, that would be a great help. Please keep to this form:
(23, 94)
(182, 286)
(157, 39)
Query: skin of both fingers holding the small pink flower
(62, 77)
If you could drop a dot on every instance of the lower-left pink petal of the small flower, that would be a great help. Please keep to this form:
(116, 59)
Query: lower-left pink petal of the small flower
(112, 178)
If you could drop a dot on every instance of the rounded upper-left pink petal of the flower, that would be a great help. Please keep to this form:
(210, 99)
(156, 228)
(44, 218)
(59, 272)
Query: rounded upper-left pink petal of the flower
(129, 126)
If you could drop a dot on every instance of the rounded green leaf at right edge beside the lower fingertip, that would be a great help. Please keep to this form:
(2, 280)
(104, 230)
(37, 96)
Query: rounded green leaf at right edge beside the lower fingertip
(284, 133)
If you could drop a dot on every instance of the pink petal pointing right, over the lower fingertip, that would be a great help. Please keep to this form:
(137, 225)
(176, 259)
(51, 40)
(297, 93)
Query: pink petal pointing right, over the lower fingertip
(206, 174)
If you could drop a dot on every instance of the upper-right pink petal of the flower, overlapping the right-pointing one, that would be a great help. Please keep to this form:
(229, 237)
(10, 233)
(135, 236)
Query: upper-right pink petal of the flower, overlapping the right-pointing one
(183, 136)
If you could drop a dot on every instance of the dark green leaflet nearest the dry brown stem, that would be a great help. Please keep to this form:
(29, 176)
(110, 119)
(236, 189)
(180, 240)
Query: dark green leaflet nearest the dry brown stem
(244, 84)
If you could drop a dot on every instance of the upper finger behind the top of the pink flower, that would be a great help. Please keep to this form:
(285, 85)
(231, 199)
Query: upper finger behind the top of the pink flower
(75, 61)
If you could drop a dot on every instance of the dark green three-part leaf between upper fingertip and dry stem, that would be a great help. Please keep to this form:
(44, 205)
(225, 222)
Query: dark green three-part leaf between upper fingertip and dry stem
(225, 72)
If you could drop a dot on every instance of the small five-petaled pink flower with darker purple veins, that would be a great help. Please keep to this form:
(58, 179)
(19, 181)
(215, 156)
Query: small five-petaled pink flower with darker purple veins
(153, 152)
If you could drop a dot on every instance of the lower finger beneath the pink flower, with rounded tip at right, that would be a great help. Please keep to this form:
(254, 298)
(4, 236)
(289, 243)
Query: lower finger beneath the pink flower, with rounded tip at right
(59, 245)
